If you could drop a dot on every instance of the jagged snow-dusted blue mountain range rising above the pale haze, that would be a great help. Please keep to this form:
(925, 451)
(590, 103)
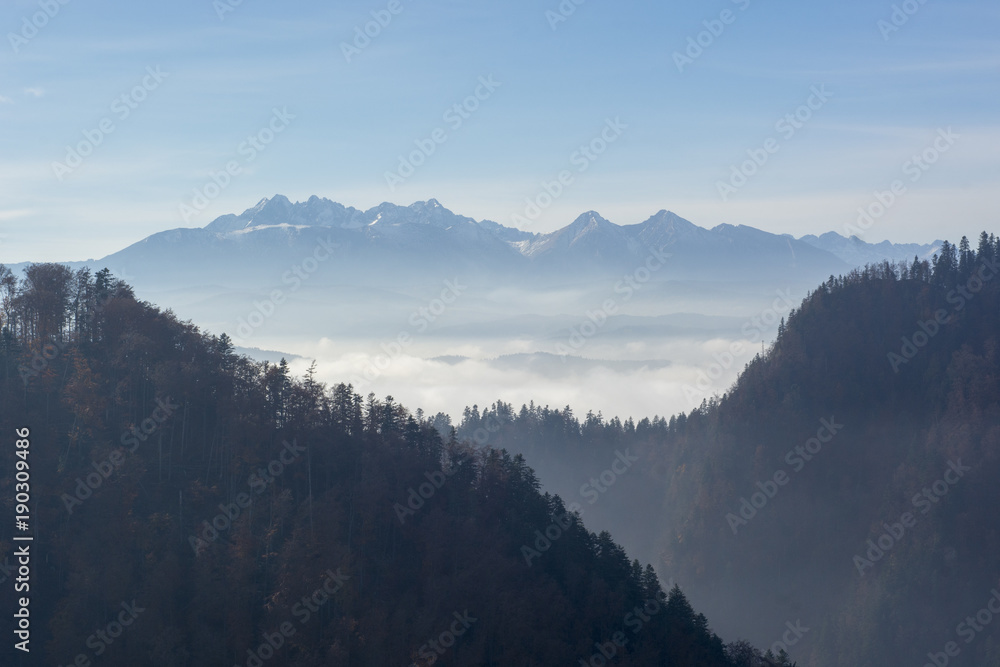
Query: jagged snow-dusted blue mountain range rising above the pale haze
(373, 247)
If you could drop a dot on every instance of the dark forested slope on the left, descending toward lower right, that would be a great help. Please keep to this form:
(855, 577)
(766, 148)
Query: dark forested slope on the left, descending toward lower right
(236, 515)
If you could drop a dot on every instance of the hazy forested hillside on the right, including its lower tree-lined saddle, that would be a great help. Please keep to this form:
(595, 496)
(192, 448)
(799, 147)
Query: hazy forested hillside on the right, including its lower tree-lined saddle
(847, 481)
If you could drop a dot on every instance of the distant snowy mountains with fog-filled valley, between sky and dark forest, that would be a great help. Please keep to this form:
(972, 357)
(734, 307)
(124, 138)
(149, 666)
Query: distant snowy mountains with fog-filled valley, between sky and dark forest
(484, 311)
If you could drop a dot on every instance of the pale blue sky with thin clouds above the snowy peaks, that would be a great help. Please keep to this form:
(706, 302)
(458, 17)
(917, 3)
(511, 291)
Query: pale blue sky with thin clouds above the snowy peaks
(120, 119)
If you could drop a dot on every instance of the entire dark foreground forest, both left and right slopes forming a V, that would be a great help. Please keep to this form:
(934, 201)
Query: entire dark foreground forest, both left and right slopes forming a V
(228, 500)
